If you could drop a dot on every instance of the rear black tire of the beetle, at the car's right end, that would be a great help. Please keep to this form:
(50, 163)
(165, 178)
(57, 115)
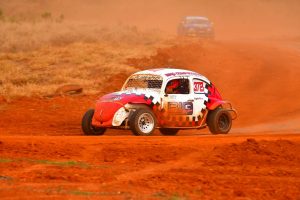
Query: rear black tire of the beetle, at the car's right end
(219, 121)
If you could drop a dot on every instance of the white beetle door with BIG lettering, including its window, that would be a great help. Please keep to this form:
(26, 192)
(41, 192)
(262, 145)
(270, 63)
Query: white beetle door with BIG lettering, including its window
(178, 107)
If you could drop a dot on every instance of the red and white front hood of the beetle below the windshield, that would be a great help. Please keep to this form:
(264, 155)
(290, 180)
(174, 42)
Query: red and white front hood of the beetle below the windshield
(141, 96)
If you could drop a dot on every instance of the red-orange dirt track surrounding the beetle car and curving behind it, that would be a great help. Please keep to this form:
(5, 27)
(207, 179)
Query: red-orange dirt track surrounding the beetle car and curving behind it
(47, 157)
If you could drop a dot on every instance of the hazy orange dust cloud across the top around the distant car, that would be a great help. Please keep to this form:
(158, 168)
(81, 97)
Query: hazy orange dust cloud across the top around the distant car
(232, 19)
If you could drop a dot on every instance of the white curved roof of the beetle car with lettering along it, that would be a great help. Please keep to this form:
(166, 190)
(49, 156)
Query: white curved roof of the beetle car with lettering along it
(167, 73)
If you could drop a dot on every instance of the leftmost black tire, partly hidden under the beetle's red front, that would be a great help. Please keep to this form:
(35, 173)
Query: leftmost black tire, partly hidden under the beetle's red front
(86, 124)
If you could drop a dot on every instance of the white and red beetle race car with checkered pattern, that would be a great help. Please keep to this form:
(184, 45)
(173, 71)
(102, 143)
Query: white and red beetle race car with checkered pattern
(167, 99)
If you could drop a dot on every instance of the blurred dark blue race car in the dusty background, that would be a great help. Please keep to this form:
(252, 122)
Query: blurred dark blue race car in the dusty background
(196, 26)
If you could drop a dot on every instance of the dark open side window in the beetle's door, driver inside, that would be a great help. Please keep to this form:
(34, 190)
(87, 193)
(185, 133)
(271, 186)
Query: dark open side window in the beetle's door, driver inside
(178, 86)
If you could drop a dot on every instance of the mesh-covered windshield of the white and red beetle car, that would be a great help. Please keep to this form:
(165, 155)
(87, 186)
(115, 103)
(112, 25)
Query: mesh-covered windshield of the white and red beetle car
(143, 81)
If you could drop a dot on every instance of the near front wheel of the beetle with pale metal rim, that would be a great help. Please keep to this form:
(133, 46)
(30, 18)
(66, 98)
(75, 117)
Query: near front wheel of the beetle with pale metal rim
(142, 122)
